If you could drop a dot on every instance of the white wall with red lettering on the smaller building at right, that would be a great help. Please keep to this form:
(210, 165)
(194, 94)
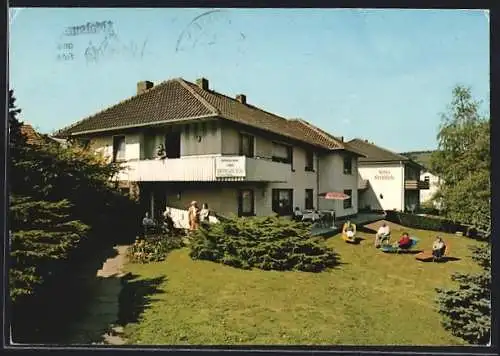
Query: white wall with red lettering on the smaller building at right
(386, 179)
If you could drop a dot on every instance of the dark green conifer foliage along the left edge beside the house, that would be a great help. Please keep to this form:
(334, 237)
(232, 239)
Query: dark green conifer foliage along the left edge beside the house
(63, 205)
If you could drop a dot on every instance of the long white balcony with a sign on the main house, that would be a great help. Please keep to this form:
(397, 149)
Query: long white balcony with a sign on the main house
(207, 168)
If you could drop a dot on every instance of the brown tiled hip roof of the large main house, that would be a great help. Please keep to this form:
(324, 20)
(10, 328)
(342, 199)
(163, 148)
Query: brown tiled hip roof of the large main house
(178, 99)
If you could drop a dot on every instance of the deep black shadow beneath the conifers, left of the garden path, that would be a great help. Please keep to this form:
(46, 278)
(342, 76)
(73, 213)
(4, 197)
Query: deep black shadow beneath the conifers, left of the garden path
(48, 316)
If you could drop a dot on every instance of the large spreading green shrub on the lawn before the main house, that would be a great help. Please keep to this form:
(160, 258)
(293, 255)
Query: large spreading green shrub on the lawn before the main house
(268, 243)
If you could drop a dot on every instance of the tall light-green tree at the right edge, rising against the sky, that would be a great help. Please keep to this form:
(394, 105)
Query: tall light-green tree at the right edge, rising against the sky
(463, 161)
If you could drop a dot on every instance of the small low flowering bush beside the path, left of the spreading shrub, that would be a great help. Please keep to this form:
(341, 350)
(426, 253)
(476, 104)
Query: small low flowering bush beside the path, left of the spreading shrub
(154, 248)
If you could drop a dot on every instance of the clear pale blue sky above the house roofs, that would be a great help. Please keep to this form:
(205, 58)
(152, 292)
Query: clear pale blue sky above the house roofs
(381, 75)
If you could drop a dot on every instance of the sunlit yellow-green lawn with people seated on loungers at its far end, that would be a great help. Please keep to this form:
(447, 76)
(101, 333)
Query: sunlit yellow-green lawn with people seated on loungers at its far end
(371, 298)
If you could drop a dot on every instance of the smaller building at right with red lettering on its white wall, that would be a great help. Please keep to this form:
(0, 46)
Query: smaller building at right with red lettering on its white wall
(388, 180)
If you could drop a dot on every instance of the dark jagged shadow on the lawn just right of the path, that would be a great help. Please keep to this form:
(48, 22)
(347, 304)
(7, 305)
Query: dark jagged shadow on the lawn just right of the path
(136, 296)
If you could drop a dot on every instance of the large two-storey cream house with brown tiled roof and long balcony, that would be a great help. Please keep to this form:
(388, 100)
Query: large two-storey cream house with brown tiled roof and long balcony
(221, 151)
